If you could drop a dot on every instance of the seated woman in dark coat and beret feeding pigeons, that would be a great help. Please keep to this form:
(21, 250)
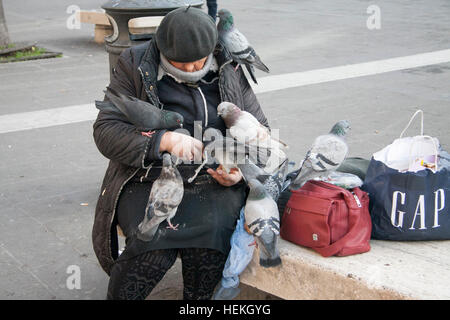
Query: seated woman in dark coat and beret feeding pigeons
(182, 69)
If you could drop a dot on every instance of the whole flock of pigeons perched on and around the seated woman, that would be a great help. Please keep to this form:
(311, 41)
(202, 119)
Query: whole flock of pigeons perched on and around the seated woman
(261, 159)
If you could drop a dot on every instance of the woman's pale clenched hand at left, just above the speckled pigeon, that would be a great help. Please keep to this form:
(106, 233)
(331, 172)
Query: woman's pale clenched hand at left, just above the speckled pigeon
(182, 146)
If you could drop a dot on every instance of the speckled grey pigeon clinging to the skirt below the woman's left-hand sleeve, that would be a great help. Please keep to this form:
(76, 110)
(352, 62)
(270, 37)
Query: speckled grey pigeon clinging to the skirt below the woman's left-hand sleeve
(165, 196)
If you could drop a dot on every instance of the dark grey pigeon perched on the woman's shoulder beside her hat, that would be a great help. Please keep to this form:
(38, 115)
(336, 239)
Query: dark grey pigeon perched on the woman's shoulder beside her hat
(237, 44)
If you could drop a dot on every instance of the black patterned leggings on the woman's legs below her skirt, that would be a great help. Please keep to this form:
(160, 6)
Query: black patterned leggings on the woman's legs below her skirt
(135, 278)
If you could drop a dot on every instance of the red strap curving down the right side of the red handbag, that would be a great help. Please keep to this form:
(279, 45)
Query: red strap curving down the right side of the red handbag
(353, 205)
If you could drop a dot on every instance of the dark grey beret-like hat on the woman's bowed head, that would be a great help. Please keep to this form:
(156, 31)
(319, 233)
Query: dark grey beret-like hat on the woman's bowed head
(186, 35)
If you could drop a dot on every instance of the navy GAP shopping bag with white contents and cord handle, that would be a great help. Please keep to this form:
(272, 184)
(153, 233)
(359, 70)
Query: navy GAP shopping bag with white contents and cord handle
(408, 188)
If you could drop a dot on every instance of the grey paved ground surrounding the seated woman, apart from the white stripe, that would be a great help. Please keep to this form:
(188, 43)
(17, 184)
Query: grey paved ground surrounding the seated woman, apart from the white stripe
(50, 177)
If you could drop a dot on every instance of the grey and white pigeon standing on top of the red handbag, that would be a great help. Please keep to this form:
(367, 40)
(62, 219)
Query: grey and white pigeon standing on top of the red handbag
(325, 156)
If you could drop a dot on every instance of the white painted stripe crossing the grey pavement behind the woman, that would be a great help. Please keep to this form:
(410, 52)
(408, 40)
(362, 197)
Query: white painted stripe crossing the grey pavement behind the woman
(87, 112)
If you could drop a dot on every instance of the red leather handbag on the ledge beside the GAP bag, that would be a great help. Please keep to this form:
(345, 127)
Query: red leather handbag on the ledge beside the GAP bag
(329, 219)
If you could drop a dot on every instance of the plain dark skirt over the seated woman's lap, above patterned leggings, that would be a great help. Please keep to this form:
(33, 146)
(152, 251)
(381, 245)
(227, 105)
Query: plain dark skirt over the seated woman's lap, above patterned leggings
(206, 216)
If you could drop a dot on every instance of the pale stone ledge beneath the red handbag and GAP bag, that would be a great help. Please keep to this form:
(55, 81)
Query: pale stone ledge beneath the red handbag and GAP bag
(390, 270)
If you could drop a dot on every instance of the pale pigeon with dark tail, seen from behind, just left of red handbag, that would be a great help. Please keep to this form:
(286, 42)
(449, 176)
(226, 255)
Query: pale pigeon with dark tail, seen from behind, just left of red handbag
(262, 220)
